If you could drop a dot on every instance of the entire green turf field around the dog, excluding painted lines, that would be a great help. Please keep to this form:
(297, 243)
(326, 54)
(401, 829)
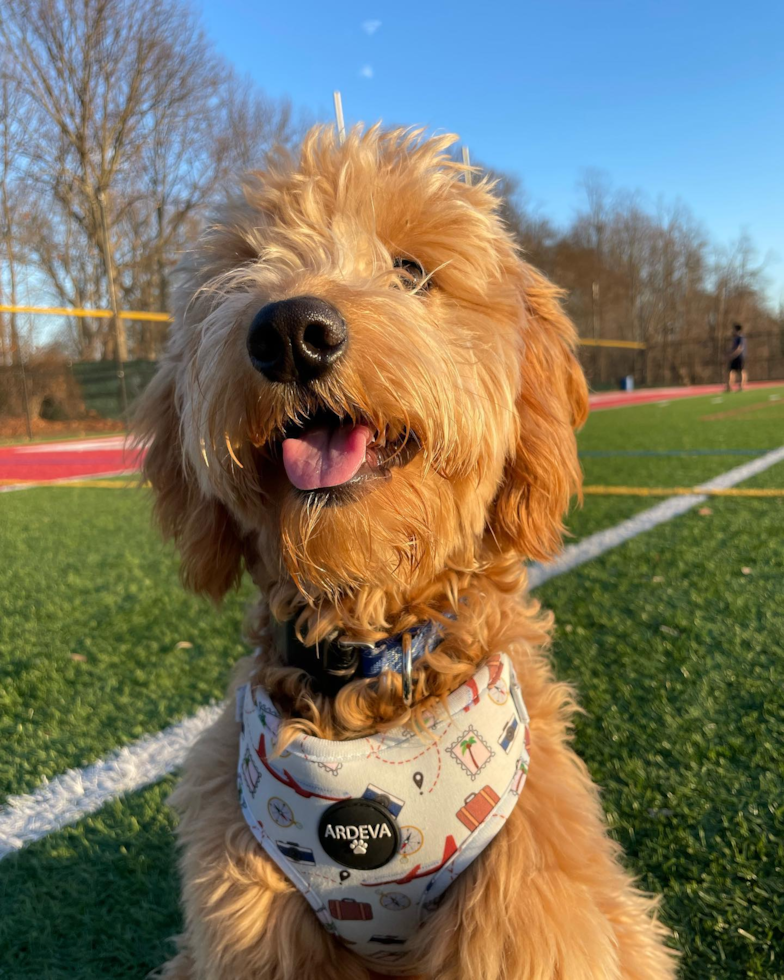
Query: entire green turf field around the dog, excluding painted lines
(674, 640)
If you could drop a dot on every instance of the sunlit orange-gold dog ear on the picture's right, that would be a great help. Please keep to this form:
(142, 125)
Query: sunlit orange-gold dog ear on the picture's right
(542, 473)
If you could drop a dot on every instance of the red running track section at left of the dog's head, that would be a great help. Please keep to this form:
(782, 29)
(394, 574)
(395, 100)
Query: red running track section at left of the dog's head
(45, 462)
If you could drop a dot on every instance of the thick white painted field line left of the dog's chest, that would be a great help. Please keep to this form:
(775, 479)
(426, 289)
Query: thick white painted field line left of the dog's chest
(77, 793)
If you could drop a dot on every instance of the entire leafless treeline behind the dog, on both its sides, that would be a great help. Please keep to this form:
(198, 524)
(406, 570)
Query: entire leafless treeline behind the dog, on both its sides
(122, 110)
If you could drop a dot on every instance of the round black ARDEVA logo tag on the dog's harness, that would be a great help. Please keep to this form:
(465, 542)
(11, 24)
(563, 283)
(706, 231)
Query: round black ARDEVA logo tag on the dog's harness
(359, 834)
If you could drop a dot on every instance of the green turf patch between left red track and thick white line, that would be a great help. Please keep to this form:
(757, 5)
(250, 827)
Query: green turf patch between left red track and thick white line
(91, 615)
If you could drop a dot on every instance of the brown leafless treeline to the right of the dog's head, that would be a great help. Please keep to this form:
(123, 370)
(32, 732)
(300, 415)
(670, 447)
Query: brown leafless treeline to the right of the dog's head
(649, 274)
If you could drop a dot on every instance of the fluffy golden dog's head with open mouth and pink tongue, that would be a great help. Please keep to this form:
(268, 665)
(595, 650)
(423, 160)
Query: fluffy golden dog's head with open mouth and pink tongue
(365, 384)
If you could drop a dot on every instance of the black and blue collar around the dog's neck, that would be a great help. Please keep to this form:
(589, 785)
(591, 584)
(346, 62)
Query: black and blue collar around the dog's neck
(337, 660)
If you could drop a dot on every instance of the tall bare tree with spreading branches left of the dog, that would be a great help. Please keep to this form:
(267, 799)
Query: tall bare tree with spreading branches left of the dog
(131, 103)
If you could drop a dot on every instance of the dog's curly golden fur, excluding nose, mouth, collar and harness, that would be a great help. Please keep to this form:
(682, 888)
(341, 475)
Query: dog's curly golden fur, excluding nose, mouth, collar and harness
(476, 376)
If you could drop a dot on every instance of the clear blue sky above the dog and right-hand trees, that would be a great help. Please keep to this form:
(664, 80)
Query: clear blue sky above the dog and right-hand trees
(677, 100)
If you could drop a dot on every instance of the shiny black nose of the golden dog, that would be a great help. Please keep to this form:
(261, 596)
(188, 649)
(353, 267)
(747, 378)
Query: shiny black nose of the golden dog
(296, 339)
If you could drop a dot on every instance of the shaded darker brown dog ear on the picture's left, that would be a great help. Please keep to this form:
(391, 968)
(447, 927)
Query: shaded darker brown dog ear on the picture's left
(209, 541)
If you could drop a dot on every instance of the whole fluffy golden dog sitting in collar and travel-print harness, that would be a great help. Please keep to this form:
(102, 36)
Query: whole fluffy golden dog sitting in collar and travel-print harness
(368, 403)
